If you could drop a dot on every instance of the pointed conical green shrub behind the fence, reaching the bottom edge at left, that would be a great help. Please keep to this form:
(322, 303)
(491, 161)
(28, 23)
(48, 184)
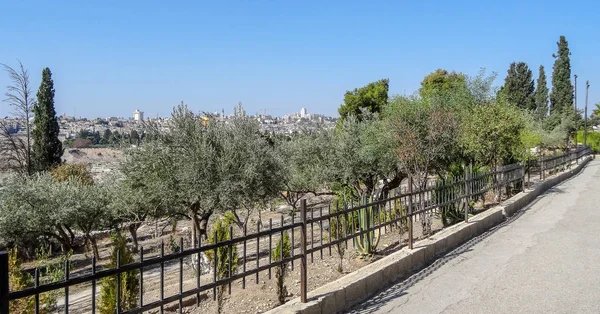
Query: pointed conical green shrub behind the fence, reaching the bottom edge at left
(129, 280)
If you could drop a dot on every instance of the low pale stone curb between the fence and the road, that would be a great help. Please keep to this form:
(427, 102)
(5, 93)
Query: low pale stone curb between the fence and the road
(355, 287)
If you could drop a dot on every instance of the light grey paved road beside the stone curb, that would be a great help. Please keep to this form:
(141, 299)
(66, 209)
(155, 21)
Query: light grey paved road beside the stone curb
(544, 260)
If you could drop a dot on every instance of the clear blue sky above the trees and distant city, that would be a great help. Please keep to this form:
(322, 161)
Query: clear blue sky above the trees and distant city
(111, 57)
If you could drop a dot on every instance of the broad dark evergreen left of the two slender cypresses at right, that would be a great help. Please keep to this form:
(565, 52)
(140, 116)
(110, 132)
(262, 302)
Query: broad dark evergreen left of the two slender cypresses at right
(518, 86)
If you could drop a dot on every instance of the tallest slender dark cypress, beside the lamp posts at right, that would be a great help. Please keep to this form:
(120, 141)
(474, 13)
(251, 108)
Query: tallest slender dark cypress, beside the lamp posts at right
(561, 96)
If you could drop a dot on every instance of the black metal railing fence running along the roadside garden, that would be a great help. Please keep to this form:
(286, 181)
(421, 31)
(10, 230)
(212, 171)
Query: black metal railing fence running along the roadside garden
(314, 231)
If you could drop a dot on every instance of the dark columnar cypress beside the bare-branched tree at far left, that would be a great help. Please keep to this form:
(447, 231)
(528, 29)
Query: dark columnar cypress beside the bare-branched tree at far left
(47, 148)
